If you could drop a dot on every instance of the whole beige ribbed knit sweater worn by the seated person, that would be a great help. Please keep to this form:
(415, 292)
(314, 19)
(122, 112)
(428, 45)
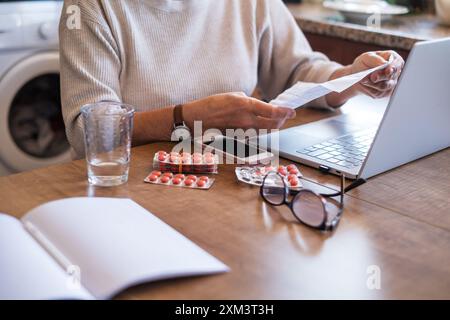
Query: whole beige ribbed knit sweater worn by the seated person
(156, 53)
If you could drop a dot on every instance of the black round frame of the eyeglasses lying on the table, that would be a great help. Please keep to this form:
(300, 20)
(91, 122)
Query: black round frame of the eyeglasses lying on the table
(326, 227)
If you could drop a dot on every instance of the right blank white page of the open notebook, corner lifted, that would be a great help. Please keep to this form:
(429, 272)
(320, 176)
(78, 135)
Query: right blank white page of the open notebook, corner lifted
(117, 243)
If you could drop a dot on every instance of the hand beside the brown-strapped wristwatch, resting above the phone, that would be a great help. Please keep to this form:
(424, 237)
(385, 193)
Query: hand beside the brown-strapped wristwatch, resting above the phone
(235, 111)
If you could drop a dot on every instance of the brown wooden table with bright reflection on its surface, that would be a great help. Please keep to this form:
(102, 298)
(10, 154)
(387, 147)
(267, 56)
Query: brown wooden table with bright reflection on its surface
(398, 222)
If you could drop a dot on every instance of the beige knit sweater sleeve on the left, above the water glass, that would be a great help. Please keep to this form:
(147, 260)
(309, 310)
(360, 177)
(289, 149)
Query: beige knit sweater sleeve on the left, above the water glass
(90, 68)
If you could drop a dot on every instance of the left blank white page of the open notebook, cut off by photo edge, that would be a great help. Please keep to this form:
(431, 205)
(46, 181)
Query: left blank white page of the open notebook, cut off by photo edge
(27, 271)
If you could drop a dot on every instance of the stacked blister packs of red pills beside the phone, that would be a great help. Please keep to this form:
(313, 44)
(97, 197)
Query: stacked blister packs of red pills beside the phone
(196, 163)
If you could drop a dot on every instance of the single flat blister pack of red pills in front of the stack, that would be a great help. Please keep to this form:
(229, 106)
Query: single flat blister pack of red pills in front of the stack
(180, 180)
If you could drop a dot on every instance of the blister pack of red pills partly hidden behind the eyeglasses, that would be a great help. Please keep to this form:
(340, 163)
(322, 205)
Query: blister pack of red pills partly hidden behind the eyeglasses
(255, 175)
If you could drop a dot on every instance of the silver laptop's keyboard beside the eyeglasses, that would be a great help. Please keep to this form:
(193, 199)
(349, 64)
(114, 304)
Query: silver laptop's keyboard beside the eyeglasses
(348, 151)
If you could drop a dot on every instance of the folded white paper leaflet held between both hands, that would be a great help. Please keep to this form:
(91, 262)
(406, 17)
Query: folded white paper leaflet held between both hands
(304, 92)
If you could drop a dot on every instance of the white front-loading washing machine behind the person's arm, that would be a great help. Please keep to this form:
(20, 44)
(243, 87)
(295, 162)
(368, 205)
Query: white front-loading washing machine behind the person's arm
(32, 132)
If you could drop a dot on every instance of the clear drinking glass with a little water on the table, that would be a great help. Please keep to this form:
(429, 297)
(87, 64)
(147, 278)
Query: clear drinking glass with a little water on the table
(108, 128)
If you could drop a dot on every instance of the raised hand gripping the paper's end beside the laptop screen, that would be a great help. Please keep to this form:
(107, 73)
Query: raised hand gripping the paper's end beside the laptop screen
(381, 83)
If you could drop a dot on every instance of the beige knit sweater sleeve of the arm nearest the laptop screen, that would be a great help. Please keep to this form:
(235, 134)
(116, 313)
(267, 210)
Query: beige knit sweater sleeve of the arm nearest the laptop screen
(285, 55)
